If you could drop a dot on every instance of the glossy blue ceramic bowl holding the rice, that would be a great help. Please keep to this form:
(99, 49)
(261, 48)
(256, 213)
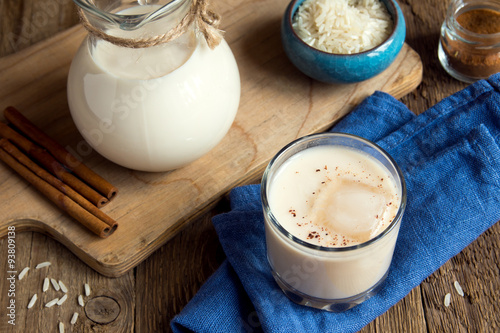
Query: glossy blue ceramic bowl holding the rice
(342, 68)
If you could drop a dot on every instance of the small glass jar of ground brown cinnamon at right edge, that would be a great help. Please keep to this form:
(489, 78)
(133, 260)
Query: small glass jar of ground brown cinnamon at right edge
(469, 46)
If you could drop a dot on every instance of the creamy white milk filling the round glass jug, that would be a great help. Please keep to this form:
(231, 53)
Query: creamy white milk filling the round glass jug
(181, 108)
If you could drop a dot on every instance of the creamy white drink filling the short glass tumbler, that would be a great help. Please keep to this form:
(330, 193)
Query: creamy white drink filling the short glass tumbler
(332, 196)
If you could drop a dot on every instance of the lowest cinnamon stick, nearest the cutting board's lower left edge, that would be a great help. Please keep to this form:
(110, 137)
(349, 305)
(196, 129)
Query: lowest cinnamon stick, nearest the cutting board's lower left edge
(90, 221)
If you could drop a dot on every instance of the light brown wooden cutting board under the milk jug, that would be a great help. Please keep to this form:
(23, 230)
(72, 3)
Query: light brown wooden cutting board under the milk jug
(278, 104)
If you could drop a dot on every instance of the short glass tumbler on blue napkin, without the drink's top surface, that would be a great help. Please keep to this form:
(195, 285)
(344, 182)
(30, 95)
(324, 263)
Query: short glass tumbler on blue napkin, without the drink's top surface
(334, 279)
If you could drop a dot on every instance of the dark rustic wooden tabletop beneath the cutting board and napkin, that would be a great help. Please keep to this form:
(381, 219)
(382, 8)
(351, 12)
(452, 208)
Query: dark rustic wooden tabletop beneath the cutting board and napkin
(147, 297)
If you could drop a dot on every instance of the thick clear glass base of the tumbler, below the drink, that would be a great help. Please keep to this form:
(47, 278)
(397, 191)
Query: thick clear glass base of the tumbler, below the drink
(331, 305)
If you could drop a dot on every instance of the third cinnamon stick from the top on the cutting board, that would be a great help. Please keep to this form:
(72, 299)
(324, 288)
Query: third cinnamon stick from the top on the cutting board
(40, 172)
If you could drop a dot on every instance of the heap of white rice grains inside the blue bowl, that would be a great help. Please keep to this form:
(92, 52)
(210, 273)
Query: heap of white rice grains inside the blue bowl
(342, 26)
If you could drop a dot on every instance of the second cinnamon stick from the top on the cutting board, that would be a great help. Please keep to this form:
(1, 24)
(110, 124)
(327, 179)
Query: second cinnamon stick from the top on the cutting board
(52, 165)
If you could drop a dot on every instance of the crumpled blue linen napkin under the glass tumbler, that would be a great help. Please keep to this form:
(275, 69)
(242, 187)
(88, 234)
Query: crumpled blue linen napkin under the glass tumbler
(450, 158)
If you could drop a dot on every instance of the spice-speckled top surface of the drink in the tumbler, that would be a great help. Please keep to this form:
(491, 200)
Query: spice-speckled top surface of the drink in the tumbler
(333, 196)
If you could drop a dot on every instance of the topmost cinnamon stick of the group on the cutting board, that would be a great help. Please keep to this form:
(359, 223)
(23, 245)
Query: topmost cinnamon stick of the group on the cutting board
(60, 153)
